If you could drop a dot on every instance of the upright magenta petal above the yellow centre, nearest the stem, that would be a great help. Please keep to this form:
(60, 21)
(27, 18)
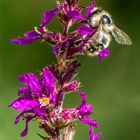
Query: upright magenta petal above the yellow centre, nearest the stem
(48, 80)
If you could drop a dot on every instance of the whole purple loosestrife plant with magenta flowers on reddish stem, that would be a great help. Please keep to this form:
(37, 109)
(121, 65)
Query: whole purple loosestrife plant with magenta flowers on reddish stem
(42, 97)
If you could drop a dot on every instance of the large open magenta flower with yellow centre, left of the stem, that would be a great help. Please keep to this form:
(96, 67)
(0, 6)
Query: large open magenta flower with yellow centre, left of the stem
(38, 95)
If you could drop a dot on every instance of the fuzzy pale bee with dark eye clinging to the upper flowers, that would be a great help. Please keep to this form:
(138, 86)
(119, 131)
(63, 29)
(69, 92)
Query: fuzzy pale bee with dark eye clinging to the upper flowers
(101, 20)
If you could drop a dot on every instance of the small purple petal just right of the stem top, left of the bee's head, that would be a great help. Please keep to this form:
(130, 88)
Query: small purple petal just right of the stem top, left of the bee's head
(75, 15)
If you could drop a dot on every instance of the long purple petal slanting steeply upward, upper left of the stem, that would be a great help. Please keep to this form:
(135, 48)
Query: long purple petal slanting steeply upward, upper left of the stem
(48, 16)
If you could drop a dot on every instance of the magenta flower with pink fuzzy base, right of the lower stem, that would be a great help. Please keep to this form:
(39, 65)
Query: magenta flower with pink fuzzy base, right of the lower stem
(82, 113)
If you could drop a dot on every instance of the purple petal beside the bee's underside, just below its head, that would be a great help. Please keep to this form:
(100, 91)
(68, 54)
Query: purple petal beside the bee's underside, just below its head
(85, 30)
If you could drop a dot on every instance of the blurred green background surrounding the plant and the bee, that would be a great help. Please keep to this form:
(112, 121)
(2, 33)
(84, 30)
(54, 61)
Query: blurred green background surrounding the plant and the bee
(113, 86)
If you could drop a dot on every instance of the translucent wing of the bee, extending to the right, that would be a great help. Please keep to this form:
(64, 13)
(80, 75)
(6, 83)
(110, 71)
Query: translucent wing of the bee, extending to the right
(121, 37)
